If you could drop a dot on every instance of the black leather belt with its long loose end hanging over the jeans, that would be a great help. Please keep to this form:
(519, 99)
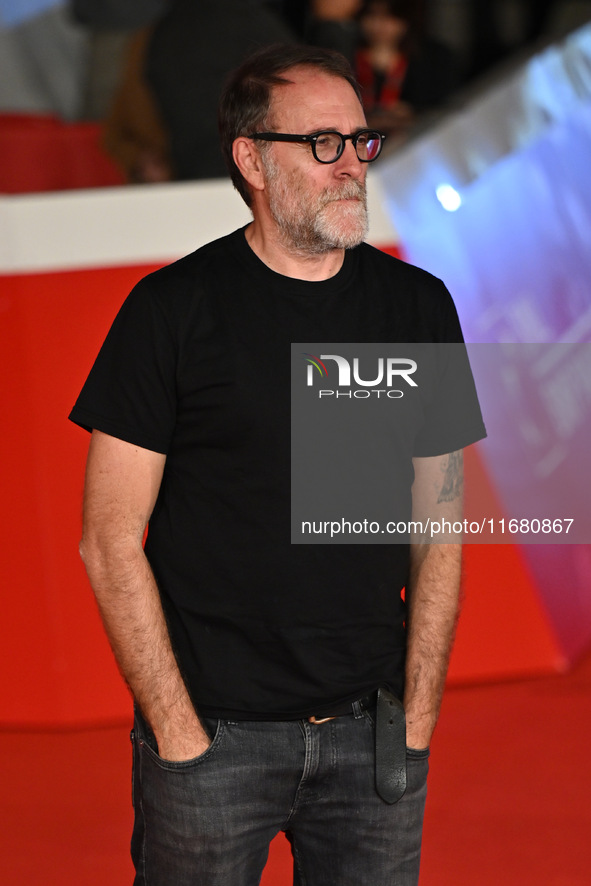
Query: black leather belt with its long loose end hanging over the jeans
(390, 755)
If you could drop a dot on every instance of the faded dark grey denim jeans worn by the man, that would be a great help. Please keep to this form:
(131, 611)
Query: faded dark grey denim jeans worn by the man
(209, 821)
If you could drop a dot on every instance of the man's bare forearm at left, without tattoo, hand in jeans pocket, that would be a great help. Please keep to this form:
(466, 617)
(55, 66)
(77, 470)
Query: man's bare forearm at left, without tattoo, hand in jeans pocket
(129, 603)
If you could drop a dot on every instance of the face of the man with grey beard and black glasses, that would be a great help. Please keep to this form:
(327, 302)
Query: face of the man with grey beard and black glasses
(316, 207)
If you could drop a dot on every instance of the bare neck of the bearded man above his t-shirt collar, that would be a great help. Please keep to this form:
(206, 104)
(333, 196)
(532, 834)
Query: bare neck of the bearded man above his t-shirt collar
(303, 266)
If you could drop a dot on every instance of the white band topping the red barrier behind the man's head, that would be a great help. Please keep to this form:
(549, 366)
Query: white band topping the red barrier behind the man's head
(132, 225)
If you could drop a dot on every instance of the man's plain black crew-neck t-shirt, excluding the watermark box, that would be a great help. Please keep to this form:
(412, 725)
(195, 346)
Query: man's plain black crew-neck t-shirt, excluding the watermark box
(197, 366)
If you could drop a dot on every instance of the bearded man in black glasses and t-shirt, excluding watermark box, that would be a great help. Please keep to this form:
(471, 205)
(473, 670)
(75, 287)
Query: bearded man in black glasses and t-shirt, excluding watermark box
(254, 663)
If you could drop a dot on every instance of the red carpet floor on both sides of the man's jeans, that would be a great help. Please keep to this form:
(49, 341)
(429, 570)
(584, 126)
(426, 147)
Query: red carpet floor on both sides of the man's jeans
(509, 801)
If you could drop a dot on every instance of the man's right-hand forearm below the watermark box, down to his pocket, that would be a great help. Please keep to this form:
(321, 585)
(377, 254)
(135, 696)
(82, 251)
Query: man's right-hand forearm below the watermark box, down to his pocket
(432, 611)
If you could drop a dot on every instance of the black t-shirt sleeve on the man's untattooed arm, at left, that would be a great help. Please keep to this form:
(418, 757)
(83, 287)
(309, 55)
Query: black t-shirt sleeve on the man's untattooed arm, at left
(130, 392)
